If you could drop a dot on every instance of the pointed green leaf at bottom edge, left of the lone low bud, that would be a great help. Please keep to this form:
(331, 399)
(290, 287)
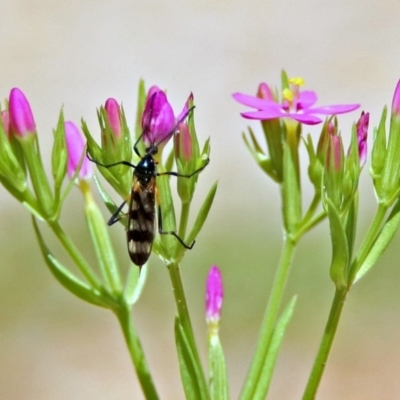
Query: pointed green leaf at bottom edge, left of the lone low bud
(191, 375)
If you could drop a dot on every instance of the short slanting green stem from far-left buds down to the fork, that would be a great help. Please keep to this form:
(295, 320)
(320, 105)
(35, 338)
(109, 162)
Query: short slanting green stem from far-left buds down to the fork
(74, 253)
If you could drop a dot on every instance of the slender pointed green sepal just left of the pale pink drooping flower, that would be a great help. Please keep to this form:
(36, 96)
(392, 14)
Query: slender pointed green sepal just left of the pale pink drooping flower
(59, 158)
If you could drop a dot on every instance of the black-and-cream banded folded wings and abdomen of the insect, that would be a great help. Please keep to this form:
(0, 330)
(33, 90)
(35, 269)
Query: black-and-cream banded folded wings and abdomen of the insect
(140, 230)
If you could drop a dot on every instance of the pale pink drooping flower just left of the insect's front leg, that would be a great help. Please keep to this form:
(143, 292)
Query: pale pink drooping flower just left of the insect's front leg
(76, 147)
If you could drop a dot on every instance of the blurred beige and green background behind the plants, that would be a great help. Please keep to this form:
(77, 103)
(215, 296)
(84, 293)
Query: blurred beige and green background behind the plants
(77, 54)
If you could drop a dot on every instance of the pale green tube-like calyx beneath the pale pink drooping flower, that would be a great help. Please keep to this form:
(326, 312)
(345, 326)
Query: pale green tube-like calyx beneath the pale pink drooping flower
(103, 247)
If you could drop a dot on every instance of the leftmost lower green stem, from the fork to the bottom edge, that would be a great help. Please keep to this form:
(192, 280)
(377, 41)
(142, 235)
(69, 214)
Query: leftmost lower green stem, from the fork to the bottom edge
(136, 352)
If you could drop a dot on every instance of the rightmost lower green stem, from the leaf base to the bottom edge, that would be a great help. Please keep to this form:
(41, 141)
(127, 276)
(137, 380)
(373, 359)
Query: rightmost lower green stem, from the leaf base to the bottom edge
(326, 344)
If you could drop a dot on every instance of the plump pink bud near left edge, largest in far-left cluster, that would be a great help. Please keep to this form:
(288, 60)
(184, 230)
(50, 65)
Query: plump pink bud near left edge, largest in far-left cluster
(21, 117)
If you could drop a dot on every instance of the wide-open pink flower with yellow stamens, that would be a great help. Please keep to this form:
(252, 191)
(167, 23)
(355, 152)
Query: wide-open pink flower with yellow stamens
(296, 104)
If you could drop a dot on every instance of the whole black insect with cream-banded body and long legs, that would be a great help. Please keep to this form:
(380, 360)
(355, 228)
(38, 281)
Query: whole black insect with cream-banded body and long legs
(144, 198)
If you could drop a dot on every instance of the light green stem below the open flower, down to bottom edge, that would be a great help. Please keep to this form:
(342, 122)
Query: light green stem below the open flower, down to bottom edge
(270, 318)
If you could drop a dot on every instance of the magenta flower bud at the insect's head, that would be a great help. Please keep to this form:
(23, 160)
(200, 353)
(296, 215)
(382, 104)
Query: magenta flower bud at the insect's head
(158, 121)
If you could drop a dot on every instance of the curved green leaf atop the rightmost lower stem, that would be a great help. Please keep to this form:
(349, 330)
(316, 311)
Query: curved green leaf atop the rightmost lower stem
(340, 248)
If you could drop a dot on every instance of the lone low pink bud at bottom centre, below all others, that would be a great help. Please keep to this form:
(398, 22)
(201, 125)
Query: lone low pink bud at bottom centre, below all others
(214, 294)
